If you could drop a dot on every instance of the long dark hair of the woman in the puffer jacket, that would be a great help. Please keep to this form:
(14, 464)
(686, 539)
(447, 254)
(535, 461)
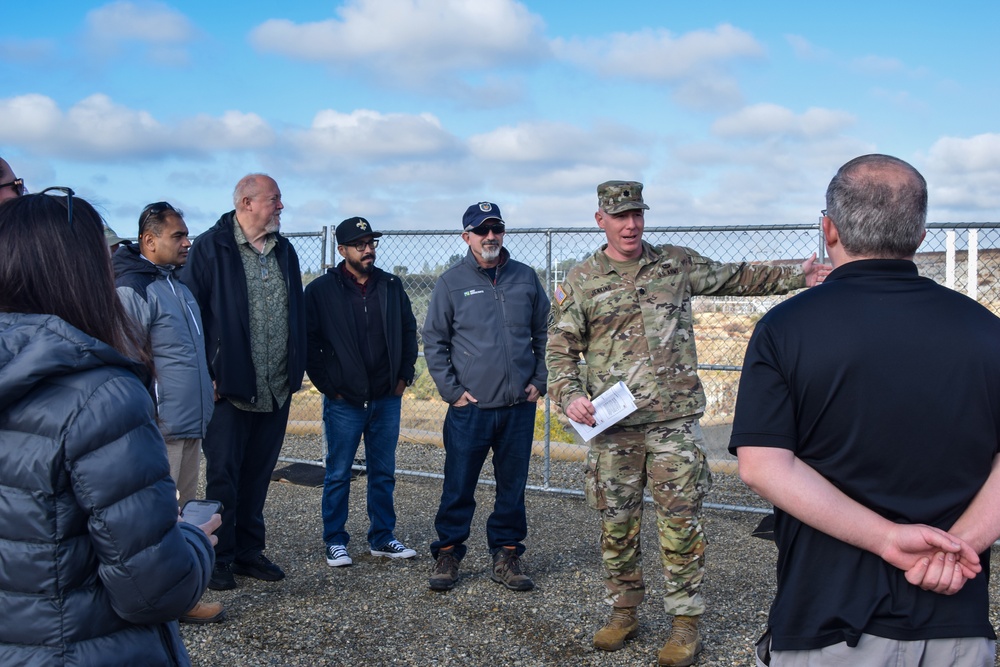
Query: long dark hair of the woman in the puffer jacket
(51, 268)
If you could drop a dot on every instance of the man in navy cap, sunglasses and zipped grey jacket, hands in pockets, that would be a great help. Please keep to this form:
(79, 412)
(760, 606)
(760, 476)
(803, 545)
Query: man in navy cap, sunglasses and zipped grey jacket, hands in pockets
(484, 341)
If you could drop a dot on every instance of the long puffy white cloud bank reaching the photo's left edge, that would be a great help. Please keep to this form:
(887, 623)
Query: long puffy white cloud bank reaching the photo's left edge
(98, 128)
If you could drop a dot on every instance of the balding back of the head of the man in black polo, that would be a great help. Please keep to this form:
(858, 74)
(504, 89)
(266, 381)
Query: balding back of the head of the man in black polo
(878, 203)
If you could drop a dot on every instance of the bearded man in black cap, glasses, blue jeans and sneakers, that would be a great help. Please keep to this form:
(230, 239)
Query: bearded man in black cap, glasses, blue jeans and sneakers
(362, 339)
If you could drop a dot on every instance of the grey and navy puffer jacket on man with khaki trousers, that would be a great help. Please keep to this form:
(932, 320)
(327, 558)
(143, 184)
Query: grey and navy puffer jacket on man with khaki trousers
(168, 313)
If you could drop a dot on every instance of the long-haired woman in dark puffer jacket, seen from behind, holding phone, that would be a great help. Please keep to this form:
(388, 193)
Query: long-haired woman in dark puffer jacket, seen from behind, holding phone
(94, 566)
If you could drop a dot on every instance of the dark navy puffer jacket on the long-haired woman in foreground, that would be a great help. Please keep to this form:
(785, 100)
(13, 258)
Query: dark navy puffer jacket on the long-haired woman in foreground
(93, 564)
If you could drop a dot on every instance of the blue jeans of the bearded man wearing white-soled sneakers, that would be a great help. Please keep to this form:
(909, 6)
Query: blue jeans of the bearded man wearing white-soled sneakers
(345, 424)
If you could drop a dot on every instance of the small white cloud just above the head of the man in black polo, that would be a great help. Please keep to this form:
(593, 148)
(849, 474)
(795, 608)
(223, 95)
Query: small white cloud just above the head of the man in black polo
(763, 120)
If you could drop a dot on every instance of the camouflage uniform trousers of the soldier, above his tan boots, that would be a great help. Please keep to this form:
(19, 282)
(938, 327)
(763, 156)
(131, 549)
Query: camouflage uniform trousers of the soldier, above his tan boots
(669, 455)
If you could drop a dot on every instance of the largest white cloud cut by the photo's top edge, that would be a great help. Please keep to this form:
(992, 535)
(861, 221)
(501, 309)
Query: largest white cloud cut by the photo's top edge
(411, 42)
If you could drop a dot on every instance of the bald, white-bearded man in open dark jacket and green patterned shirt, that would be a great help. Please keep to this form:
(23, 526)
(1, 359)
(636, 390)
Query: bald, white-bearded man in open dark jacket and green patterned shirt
(246, 278)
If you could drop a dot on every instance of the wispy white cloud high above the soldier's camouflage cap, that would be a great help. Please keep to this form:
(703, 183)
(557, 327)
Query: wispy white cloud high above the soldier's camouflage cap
(660, 57)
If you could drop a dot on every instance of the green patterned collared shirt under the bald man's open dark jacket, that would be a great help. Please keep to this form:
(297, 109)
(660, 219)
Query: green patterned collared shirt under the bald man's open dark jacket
(267, 295)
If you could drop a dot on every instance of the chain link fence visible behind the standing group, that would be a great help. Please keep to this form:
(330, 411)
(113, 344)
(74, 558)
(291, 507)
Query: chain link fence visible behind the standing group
(963, 256)
